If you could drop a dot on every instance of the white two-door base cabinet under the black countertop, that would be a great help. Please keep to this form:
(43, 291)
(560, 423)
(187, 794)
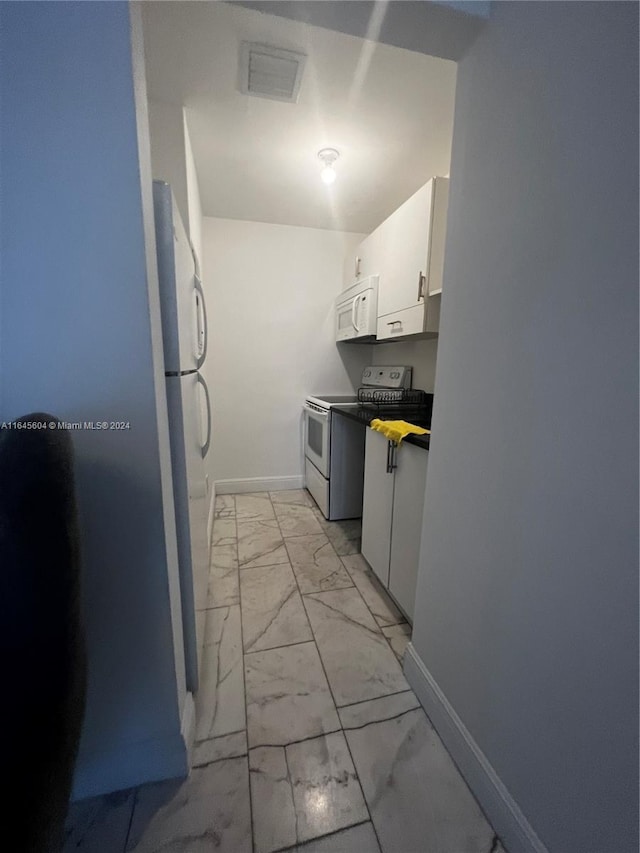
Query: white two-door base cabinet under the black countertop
(392, 515)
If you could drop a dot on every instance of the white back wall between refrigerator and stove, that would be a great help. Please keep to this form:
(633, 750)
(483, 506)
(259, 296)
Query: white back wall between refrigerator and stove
(270, 291)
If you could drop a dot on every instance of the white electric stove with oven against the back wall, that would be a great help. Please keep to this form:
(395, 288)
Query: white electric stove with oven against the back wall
(334, 445)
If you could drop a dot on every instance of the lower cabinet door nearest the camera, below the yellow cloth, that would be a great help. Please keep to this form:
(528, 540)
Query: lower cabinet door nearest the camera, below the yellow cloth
(406, 527)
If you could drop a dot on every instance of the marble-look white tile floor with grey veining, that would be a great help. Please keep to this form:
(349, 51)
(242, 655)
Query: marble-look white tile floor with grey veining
(308, 737)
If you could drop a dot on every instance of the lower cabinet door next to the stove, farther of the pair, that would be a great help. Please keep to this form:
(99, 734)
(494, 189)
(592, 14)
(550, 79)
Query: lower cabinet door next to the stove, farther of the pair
(377, 505)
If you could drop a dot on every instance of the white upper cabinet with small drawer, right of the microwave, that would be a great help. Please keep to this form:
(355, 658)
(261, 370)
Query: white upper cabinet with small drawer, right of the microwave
(411, 266)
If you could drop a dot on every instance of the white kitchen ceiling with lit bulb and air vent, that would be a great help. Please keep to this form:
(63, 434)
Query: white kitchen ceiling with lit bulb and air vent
(389, 112)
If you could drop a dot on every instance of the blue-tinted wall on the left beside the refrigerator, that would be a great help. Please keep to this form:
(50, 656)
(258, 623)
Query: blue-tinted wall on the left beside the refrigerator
(80, 331)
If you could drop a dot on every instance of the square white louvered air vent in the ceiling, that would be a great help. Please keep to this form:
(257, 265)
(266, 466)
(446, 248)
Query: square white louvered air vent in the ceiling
(270, 72)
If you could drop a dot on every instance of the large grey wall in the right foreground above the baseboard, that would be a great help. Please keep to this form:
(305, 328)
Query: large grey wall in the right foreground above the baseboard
(527, 601)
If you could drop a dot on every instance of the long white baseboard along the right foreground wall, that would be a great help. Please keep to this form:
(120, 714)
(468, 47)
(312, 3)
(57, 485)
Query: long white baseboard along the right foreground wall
(502, 810)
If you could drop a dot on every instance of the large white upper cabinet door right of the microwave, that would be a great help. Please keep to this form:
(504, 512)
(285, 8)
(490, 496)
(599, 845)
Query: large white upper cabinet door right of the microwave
(406, 264)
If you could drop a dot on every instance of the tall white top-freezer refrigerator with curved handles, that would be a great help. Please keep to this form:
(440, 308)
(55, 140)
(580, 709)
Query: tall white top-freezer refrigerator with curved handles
(184, 334)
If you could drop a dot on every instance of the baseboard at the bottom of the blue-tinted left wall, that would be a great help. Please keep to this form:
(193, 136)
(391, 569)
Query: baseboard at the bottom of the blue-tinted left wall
(129, 765)
